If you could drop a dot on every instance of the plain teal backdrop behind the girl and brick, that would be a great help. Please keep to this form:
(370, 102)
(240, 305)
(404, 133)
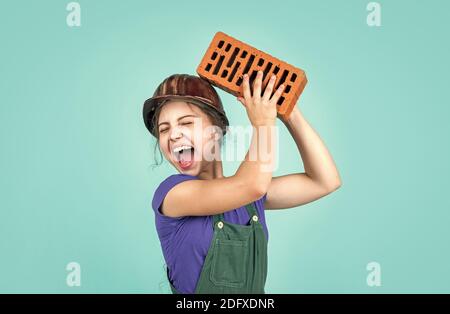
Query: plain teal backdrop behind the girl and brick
(76, 177)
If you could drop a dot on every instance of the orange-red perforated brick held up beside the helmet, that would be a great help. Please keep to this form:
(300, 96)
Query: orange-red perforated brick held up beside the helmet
(228, 59)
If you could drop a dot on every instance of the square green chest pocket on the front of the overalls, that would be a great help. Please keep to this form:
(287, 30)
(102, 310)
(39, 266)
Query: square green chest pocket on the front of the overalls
(229, 264)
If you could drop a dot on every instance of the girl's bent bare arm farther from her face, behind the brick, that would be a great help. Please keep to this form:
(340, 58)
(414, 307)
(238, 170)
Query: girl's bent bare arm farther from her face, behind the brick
(321, 176)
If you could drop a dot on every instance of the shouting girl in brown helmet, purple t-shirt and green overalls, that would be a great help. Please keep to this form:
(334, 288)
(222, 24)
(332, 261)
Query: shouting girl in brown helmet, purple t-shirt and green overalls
(212, 228)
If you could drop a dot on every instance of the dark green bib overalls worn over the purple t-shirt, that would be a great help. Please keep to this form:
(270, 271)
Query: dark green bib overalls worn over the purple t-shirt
(237, 258)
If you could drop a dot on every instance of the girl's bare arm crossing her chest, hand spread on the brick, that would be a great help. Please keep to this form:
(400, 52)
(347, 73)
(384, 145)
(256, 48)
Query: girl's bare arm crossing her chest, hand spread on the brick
(252, 179)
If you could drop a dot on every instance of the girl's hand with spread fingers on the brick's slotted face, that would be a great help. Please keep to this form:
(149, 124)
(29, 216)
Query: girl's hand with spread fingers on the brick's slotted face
(261, 110)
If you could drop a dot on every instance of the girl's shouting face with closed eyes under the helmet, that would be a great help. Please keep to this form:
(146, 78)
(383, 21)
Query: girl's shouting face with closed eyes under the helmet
(185, 125)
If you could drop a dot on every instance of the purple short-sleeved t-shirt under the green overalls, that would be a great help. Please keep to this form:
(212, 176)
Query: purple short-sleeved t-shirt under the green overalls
(185, 240)
